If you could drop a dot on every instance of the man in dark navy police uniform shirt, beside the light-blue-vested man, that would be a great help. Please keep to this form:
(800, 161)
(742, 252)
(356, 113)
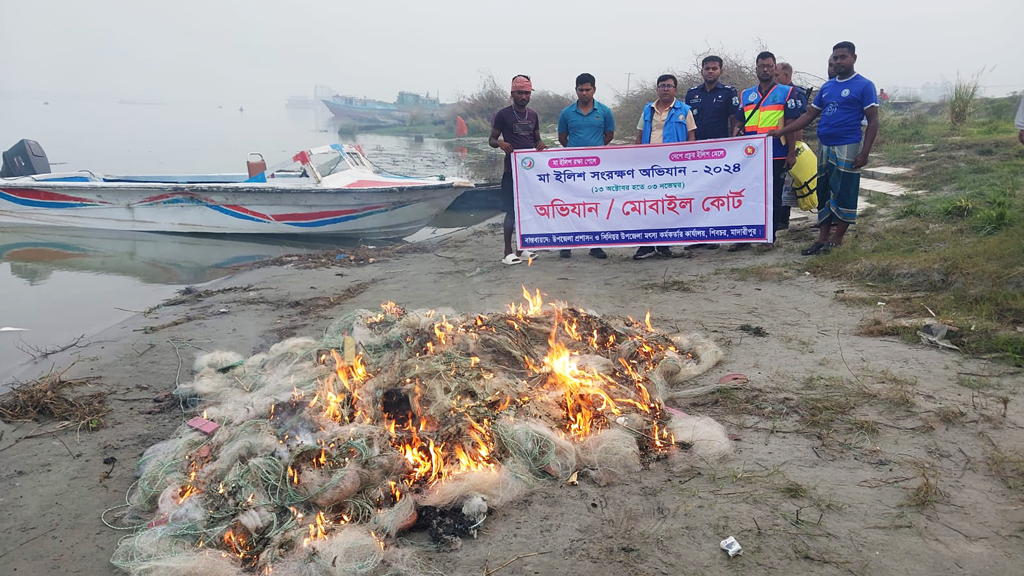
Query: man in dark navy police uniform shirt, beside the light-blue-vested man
(714, 106)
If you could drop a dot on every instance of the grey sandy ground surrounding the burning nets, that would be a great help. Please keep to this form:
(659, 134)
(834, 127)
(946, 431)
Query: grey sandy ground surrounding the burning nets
(836, 434)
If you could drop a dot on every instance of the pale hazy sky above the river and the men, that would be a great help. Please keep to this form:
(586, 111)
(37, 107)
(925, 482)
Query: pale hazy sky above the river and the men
(243, 52)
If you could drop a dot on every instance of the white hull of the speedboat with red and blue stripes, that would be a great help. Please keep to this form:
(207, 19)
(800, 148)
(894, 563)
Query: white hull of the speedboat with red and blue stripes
(218, 210)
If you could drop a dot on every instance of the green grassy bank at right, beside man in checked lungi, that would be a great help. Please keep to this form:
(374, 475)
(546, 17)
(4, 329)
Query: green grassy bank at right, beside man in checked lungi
(958, 250)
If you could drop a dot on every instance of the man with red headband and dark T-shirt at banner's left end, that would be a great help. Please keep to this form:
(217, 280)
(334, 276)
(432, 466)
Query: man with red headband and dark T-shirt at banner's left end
(520, 129)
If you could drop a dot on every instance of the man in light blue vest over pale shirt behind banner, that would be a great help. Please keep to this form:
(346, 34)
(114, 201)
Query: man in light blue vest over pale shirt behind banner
(665, 120)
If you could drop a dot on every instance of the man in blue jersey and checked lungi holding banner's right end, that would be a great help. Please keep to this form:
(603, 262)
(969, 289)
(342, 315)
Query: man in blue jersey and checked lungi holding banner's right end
(842, 104)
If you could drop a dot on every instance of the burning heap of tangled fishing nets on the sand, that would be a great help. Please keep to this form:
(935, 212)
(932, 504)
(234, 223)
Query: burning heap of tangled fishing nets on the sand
(312, 459)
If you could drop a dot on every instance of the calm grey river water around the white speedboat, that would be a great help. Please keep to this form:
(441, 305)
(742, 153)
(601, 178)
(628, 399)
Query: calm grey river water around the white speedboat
(58, 284)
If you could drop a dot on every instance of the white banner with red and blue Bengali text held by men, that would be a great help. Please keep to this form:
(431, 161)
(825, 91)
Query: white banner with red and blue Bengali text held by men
(702, 192)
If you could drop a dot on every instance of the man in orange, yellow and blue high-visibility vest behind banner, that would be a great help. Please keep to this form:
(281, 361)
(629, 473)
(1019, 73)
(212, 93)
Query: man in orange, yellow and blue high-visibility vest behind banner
(769, 107)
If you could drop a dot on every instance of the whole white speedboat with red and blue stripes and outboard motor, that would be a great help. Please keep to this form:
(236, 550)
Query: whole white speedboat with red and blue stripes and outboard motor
(331, 190)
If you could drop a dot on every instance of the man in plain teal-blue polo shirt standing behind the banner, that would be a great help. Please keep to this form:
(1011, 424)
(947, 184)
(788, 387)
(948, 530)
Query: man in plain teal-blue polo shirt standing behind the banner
(586, 122)
